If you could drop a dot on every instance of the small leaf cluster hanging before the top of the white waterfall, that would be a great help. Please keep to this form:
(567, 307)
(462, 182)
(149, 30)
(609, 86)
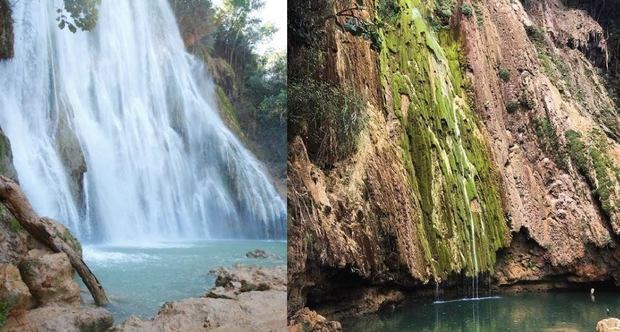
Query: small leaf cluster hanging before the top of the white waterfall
(76, 14)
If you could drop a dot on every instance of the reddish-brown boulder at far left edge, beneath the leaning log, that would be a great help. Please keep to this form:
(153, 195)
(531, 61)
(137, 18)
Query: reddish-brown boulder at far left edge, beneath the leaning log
(13, 291)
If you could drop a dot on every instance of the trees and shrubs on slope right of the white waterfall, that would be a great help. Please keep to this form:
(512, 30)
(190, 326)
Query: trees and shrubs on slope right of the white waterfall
(254, 84)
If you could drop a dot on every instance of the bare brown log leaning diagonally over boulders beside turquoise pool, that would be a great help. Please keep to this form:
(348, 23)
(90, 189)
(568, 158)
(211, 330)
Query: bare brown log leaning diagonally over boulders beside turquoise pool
(42, 230)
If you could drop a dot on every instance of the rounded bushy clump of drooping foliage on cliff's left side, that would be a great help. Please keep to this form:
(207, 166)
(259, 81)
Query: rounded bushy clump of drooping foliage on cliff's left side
(328, 117)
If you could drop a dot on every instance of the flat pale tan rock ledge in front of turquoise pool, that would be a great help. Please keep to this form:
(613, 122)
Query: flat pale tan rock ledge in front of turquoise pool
(245, 298)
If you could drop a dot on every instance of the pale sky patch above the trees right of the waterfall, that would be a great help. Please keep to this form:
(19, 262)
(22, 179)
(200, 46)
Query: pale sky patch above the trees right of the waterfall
(274, 12)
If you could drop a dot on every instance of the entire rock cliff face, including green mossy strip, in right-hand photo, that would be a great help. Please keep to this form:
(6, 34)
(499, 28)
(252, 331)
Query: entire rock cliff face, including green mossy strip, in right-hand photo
(491, 148)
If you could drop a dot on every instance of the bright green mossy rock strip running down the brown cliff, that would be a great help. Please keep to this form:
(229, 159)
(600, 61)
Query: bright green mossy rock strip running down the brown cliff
(462, 224)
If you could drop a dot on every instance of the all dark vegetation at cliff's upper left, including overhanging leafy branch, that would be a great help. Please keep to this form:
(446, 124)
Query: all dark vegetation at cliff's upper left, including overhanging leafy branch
(328, 116)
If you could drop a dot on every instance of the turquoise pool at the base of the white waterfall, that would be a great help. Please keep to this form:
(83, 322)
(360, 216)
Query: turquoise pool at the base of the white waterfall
(139, 280)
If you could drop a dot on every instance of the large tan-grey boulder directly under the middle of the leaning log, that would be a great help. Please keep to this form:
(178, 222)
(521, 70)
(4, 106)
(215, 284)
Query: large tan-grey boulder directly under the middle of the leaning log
(50, 277)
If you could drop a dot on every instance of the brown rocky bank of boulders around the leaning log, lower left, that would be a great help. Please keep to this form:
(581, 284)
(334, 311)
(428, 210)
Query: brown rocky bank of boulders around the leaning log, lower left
(38, 291)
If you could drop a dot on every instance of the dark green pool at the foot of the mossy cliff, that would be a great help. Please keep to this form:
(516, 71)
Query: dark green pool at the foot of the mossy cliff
(555, 311)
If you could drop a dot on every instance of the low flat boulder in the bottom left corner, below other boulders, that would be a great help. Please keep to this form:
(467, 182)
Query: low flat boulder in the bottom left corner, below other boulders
(60, 318)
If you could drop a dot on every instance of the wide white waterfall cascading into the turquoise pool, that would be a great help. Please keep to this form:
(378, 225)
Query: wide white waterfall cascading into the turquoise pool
(161, 164)
